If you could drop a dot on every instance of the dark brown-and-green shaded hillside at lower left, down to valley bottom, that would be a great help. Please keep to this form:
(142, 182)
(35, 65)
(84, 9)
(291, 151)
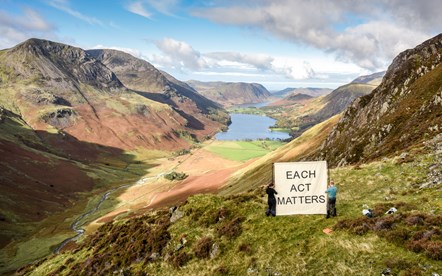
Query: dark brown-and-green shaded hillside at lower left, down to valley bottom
(46, 180)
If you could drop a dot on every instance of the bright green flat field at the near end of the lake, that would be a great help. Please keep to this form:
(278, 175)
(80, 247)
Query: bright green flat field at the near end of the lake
(243, 150)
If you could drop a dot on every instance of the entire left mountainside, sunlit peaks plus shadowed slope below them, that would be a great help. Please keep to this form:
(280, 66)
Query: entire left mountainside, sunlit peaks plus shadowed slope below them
(68, 124)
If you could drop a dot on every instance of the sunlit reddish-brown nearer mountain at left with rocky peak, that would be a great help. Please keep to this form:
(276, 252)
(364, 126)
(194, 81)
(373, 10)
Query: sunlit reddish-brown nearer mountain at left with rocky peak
(61, 88)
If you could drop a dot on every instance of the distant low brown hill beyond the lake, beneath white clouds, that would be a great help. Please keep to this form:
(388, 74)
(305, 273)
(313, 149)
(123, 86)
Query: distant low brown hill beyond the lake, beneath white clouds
(231, 93)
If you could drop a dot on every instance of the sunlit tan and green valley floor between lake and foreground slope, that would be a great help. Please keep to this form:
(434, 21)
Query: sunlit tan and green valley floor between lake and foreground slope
(207, 172)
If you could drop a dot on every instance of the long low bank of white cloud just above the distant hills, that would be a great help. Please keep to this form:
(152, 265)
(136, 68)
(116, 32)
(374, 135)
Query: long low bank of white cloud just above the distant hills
(179, 55)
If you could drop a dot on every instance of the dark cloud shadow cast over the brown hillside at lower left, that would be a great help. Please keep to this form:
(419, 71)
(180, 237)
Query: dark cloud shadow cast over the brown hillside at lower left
(42, 173)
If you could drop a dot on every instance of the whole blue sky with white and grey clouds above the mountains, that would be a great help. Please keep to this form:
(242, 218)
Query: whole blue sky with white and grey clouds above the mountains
(279, 43)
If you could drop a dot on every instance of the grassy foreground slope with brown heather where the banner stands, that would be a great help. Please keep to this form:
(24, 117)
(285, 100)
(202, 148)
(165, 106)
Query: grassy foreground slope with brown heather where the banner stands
(250, 242)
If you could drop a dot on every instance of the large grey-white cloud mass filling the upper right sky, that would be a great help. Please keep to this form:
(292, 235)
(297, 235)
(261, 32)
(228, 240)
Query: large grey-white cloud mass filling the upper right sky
(367, 33)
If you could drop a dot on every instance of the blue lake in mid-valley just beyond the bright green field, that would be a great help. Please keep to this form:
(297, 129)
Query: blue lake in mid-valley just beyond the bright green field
(254, 127)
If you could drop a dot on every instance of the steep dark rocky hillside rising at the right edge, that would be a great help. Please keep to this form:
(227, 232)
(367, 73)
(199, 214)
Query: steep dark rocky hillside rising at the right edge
(404, 111)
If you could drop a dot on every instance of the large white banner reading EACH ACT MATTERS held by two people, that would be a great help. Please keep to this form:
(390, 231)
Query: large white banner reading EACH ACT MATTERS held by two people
(301, 187)
